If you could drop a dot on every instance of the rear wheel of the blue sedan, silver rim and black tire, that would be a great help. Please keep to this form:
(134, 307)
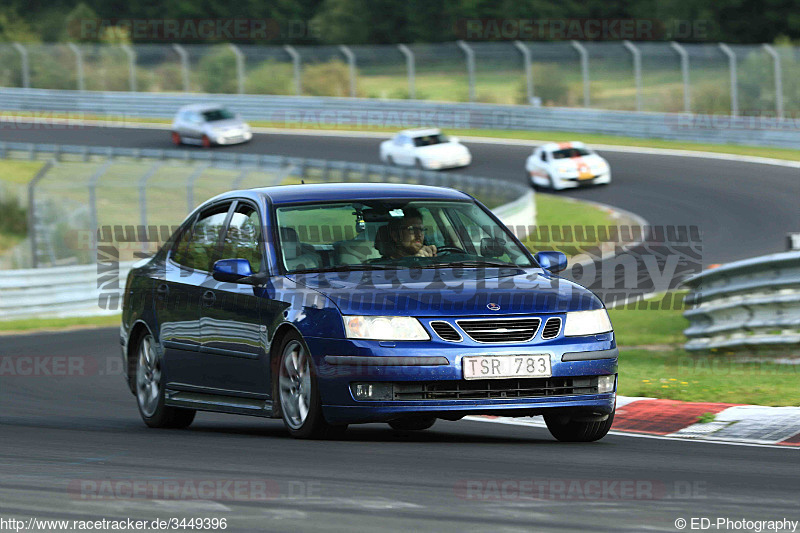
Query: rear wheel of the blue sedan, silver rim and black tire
(150, 389)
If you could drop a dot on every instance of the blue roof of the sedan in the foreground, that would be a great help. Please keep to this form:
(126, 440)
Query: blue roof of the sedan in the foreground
(321, 192)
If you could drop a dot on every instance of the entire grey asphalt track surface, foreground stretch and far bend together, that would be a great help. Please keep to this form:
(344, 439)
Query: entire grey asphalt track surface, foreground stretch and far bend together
(60, 434)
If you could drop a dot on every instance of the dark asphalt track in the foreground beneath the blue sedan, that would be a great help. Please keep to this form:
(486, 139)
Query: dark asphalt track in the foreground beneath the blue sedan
(62, 434)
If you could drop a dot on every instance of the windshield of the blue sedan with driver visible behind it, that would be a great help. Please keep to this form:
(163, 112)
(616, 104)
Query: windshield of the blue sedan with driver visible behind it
(392, 234)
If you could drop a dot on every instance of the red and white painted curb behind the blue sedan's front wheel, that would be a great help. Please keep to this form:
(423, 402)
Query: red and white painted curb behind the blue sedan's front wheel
(732, 423)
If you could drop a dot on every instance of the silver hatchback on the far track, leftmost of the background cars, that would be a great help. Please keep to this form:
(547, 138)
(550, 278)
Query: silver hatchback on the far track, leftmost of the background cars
(206, 124)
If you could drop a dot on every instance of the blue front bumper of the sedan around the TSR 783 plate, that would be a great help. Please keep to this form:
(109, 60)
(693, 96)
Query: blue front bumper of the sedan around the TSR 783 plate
(340, 406)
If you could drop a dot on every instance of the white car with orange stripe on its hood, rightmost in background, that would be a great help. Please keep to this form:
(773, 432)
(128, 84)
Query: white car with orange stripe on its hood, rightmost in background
(564, 165)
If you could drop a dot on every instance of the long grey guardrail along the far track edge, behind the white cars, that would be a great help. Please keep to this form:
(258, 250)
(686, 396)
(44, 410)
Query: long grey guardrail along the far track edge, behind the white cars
(316, 112)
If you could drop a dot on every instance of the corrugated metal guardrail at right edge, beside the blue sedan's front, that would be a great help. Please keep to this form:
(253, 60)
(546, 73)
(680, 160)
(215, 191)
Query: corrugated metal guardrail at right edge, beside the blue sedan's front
(749, 303)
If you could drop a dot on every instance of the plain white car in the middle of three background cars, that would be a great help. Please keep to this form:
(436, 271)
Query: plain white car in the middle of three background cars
(425, 148)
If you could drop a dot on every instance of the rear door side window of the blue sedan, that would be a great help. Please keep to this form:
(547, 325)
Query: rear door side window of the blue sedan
(199, 248)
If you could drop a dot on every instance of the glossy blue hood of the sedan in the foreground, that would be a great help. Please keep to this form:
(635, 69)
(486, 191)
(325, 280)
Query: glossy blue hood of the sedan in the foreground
(449, 292)
